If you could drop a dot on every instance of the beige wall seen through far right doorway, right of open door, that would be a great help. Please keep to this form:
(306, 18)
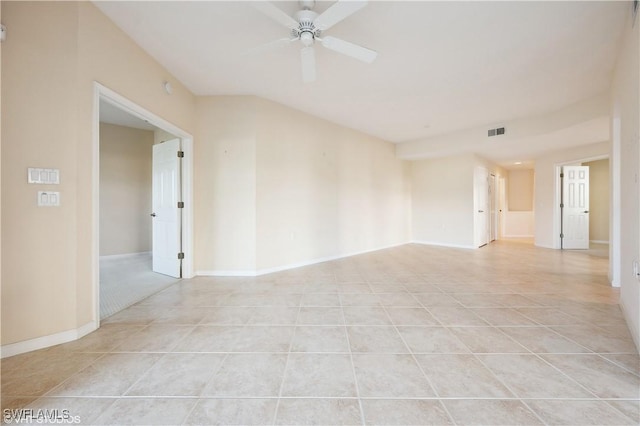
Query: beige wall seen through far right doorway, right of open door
(598, 200)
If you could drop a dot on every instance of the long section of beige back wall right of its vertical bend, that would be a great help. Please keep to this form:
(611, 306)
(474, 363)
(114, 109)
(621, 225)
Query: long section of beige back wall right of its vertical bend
(324, 190)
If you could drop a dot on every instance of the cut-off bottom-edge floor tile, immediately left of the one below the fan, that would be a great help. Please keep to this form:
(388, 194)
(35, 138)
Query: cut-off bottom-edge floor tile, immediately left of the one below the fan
(233, 412)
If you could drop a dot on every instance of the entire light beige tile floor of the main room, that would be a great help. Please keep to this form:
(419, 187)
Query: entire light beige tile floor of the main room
(509, 334)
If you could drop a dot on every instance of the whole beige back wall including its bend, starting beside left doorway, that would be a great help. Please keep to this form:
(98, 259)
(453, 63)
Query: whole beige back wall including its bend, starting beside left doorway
(277, 187)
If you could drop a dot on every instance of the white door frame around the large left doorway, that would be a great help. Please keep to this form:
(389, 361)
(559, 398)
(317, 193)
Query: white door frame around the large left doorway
(101, 92)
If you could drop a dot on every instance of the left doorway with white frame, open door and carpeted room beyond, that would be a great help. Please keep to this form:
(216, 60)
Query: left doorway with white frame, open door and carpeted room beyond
(142, 203)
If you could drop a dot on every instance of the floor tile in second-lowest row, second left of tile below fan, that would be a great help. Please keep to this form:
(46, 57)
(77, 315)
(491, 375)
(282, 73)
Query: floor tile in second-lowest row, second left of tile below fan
(178, 375)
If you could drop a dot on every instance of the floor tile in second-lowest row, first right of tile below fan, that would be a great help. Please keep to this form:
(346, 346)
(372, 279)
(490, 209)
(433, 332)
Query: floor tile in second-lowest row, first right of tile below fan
(390, 376)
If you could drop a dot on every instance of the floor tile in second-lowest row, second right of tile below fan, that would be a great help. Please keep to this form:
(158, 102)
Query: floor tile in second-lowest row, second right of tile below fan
(461, 376)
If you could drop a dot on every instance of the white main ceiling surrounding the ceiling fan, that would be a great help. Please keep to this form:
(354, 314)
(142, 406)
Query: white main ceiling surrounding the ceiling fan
(441, 66)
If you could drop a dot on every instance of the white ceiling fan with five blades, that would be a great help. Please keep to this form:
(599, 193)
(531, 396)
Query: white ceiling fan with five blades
(307, 27)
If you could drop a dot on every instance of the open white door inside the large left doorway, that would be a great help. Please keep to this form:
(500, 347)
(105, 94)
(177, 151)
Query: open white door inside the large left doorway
(166, 216)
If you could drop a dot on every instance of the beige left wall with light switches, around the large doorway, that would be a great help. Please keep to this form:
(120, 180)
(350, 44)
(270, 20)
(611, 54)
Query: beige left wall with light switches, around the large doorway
(55, 52)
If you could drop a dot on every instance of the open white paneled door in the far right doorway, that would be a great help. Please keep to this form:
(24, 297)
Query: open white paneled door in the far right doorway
(575, 211)
